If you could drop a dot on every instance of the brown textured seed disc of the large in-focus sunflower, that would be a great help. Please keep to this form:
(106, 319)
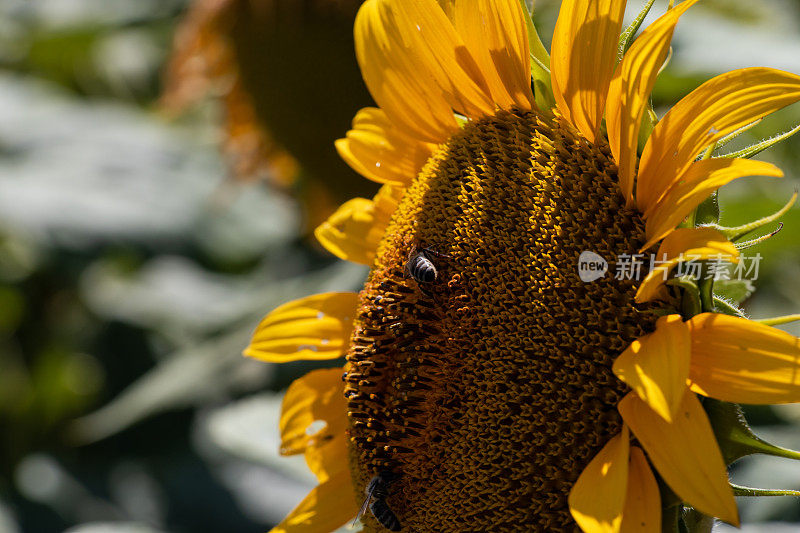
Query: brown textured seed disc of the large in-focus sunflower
(489, 389)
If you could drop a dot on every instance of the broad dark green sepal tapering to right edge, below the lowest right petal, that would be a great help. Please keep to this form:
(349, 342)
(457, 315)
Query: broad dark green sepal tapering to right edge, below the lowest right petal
(734, 436)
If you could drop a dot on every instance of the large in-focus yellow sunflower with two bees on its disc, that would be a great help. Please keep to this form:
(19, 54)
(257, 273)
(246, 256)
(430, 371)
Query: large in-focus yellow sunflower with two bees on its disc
(496, 388)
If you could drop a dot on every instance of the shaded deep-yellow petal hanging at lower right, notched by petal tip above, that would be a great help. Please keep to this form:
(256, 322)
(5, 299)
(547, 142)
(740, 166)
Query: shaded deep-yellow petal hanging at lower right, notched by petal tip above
(685, 453)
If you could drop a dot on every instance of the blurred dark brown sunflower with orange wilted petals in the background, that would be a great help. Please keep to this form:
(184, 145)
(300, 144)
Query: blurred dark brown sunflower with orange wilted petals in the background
(276, 66)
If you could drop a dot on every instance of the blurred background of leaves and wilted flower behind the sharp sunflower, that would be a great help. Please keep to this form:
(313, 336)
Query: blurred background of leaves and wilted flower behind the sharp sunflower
(135, 258)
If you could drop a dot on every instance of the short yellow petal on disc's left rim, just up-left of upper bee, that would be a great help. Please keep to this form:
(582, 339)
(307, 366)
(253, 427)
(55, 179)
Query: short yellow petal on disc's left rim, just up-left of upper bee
(355, 229)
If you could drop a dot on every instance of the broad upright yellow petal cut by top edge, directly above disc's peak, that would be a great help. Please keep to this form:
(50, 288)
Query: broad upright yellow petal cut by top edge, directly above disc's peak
(495, 34)
